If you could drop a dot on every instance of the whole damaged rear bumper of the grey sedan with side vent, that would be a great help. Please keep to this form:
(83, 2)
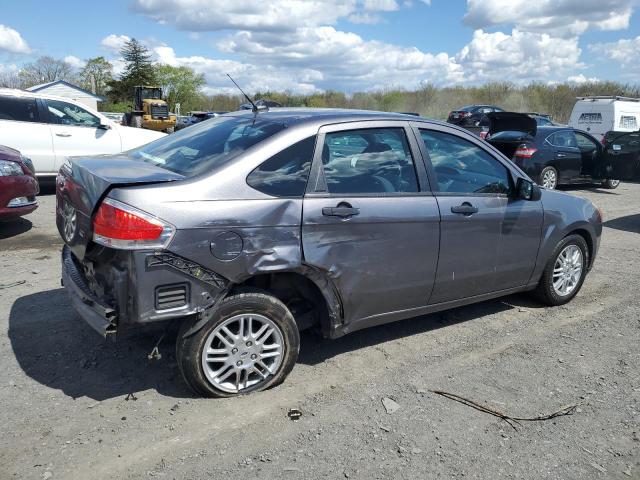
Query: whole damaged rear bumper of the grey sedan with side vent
(137, 288)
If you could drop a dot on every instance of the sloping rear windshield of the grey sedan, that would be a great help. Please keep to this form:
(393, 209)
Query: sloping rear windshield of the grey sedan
(207, 145)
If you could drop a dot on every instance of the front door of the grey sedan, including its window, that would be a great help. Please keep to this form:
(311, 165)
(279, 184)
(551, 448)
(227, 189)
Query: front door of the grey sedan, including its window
(488, 238)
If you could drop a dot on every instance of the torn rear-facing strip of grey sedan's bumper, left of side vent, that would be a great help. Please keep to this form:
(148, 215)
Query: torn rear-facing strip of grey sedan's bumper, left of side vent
(101, 318)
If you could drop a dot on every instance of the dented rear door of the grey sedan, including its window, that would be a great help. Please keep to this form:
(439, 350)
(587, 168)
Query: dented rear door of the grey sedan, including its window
(370, 222)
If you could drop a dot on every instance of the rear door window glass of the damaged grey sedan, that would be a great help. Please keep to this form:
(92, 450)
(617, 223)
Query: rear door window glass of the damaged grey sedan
(369, 161)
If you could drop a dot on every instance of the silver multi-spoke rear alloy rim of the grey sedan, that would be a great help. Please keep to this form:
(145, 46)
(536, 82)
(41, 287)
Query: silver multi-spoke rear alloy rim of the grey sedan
(243, 351)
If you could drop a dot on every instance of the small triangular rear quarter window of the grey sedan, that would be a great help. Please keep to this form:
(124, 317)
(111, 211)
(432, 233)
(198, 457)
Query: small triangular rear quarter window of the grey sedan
(286, 173)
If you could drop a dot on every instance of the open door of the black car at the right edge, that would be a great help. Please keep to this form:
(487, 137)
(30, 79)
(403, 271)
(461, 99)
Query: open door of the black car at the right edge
(621, 157)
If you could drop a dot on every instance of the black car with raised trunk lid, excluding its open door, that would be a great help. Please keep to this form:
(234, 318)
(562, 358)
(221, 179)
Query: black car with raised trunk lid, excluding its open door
(550, 155)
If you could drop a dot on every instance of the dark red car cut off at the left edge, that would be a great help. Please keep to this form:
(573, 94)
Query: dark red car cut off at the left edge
(18, 184)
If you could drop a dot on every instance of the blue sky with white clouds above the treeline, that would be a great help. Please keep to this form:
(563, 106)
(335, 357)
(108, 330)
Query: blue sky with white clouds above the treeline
(308, 46)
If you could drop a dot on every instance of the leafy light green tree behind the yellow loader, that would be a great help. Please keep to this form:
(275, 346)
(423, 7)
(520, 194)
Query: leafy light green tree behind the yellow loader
(179, 85)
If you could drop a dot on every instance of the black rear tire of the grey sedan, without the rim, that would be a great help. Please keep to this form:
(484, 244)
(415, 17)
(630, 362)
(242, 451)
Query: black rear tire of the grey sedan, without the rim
(189, 347)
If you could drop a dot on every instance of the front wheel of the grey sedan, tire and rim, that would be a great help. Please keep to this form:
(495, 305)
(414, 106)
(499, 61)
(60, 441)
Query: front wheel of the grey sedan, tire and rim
(564, 274)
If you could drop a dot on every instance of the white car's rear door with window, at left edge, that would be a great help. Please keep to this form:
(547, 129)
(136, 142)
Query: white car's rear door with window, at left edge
(22, 128)
